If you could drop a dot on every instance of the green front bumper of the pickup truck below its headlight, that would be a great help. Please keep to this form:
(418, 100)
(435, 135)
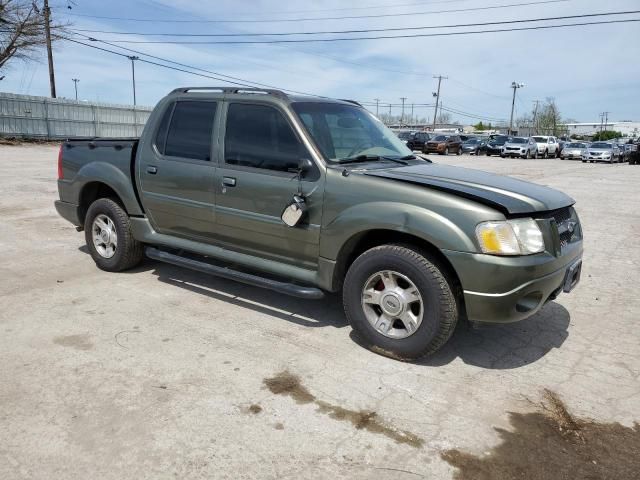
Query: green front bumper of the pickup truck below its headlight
(510, 289)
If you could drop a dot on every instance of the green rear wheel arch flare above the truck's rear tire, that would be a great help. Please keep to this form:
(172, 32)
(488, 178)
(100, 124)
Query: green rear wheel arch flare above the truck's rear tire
(111, 176)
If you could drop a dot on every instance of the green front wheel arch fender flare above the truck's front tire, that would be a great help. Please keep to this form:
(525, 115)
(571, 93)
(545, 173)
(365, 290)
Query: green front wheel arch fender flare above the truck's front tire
(414, 220)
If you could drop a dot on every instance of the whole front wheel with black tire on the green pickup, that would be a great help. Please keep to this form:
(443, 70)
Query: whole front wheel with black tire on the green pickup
(437, 303)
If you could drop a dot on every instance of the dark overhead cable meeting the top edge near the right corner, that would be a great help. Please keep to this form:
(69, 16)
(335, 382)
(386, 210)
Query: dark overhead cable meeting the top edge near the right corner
(349, 17)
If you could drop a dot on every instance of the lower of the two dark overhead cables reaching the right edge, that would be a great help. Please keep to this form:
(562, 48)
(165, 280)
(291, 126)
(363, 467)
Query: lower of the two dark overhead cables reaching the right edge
(381, 37)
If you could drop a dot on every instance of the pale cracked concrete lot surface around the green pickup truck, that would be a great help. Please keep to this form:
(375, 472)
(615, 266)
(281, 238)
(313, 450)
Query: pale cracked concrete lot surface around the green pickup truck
(160, 372)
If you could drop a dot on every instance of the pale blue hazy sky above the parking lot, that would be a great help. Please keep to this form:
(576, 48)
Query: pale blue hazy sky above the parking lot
(587, 69)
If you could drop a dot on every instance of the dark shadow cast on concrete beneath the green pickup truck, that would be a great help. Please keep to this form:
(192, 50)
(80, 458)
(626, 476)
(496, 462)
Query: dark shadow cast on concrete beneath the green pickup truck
(498, 347)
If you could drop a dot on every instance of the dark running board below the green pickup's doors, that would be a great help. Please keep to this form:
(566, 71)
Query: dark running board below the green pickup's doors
(224, 272)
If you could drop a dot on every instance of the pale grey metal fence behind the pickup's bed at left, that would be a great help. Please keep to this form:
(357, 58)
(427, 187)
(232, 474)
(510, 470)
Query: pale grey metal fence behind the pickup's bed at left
(53, 118)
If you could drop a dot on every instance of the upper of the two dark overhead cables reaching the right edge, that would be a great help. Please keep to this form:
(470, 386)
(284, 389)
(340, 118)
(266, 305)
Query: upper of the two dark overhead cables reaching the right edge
(369, 30)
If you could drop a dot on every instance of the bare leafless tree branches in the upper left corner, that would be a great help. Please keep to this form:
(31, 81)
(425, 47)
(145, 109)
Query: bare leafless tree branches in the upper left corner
(22, 30)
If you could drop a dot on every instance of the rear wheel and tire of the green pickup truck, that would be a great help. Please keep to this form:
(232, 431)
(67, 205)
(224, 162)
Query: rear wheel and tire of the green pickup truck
(127, 252)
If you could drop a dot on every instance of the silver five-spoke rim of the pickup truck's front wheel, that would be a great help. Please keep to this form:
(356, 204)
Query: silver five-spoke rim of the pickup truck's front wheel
(392, 304)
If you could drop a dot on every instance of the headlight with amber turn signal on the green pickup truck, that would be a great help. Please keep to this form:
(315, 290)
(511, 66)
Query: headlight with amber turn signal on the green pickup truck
(520, 236)
